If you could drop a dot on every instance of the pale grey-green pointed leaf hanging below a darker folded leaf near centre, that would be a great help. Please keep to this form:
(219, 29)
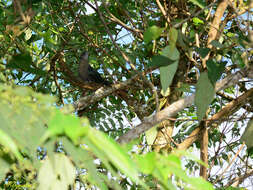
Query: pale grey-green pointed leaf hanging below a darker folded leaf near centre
(167, 74)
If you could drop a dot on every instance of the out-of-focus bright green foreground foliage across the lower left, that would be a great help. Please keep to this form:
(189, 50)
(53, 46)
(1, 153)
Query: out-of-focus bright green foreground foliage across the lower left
(58, 169)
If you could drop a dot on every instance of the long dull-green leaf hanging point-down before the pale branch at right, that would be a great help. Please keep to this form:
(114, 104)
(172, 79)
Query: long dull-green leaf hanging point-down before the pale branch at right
(204, 95)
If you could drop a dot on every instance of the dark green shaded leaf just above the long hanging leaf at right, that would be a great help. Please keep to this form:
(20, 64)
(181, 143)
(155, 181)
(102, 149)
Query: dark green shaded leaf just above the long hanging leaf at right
(215, 70)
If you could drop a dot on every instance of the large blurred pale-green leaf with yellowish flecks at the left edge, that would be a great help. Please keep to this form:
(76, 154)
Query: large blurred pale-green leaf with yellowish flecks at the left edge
(28, 112)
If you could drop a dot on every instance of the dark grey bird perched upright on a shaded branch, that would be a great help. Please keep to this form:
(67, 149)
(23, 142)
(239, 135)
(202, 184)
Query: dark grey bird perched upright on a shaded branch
(87, 73)
